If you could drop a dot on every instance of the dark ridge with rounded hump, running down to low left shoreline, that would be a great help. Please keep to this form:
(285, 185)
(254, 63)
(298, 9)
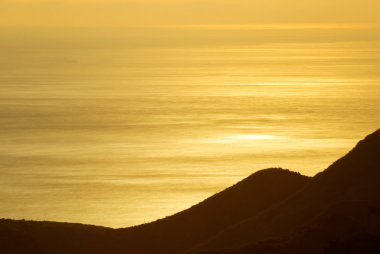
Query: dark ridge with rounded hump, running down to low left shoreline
(170, 235)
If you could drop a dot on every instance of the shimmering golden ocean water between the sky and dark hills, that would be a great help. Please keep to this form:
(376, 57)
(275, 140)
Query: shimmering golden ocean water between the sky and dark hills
(119, 130)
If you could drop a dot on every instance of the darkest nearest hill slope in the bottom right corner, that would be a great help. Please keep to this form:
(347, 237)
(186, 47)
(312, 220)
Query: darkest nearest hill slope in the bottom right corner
(347, 227)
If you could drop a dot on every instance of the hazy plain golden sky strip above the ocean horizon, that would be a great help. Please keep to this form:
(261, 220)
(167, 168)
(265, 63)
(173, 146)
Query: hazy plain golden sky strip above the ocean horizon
(188, 12)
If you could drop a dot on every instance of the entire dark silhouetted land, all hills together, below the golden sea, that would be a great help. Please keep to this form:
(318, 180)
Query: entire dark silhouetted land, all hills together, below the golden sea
(272, 211)
